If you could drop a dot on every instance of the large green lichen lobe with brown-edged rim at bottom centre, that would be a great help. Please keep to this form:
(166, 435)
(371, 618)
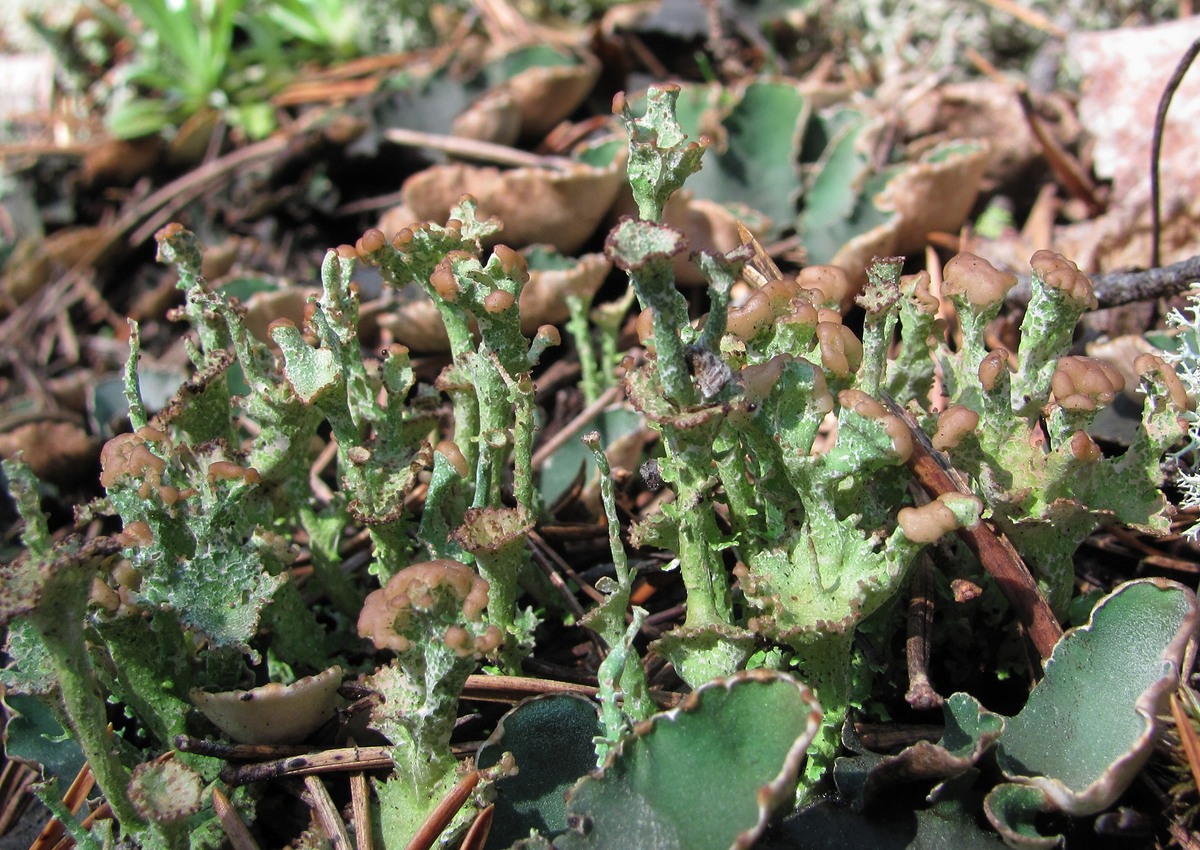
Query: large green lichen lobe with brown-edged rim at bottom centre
(704, 776)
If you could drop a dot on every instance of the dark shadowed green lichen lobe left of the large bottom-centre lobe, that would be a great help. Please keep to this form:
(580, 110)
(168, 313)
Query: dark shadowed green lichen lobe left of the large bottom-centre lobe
(550, 738)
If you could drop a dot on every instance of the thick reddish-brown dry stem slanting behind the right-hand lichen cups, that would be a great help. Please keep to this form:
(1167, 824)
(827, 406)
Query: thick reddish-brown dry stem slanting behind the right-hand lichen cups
(994, 550)
